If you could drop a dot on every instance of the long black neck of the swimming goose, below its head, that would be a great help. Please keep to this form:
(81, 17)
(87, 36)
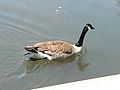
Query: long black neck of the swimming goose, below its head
(82, 36)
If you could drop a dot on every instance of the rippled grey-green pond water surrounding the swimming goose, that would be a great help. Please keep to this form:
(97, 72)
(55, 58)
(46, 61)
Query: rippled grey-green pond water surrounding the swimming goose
(26, 22)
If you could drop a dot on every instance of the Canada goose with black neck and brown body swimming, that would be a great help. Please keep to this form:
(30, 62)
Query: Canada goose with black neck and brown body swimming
(57, 49)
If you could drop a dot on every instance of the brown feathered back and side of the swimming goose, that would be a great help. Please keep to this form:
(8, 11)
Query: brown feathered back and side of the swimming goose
(55, 49)
